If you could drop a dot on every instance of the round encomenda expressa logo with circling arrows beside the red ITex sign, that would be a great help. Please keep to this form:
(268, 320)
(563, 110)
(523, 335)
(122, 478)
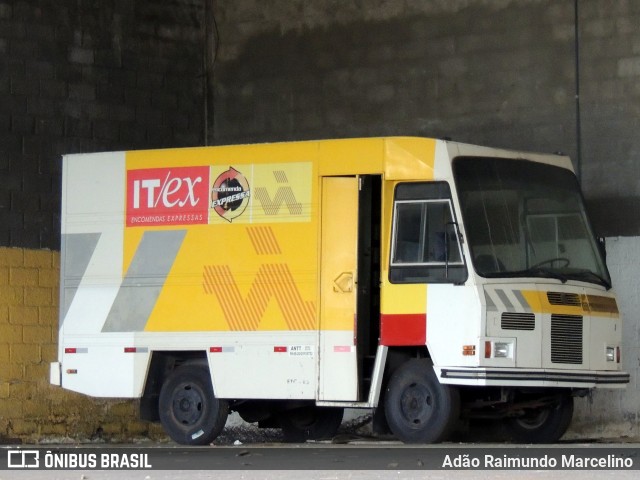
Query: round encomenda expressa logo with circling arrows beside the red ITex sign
(230, 194)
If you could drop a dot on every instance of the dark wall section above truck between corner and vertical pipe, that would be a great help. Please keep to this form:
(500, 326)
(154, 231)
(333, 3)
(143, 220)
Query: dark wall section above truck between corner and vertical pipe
(489, 72)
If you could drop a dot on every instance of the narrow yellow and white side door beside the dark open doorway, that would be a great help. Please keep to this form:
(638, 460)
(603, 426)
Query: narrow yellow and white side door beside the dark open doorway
(338, 372)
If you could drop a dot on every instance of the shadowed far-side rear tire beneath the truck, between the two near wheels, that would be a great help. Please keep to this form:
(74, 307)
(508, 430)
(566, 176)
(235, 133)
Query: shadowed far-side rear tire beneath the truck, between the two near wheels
(310, 423)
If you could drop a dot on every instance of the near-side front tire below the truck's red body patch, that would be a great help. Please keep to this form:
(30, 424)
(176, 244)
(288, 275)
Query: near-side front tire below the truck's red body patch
(419, 409)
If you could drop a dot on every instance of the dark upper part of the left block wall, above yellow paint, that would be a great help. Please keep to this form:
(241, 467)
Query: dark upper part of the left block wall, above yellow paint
(89, 76)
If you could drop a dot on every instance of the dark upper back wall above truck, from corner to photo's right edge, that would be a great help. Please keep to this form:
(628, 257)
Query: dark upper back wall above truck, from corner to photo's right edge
(493, 72)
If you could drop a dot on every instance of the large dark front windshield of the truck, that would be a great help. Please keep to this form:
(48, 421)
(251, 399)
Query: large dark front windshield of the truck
(527, 219)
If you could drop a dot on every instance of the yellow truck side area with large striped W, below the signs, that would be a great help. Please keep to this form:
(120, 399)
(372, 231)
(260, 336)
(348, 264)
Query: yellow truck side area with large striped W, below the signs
(232, 285)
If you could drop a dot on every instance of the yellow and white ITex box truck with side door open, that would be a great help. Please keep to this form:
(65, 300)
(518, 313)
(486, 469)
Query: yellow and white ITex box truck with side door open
(428, 280)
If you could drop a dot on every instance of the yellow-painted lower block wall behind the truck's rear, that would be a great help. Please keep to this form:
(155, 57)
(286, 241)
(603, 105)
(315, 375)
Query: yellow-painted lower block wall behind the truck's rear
(32, 410)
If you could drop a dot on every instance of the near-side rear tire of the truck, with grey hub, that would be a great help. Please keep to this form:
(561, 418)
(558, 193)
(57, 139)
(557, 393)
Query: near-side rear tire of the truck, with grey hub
(189, 411)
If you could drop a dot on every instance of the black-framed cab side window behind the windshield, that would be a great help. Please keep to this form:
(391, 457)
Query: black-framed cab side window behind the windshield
(425, 244)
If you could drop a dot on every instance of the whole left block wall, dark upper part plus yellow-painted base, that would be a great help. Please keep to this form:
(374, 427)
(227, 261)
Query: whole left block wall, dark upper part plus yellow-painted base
(77, 76)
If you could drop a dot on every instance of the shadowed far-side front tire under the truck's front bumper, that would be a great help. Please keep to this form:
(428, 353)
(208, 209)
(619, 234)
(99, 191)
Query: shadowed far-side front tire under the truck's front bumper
(542, 425)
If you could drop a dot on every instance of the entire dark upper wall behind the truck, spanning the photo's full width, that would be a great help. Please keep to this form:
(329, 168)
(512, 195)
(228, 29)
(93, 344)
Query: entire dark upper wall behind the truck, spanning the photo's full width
(94, 75)
